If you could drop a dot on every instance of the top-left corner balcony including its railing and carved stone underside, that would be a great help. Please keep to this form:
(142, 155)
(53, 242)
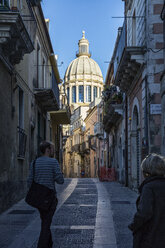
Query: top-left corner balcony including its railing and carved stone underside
(15, 40)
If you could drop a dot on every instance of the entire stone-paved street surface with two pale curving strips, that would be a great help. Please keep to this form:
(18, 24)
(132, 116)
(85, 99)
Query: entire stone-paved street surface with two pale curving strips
(90, 214)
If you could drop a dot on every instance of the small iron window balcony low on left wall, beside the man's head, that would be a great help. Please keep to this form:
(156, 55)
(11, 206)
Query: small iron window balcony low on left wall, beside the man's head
(21, 142)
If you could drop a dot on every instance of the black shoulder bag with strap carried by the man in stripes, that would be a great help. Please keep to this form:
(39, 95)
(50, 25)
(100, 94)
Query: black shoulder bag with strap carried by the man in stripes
(38, 195)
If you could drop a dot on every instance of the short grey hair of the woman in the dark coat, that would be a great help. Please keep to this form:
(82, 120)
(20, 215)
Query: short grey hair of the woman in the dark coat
(154, 165)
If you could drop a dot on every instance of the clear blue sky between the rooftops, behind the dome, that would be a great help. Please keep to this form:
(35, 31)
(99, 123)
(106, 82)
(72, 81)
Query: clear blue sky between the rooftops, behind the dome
(68, 18)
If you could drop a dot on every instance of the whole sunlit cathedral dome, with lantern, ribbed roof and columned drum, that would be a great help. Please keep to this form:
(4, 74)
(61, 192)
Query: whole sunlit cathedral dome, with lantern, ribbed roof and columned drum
(83, 77)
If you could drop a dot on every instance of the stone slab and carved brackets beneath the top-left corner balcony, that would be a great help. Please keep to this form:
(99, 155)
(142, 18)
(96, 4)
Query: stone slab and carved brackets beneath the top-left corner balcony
(14, 38)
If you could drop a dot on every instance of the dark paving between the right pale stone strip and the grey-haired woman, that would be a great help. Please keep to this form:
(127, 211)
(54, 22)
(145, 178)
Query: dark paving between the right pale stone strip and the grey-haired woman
(123, 206)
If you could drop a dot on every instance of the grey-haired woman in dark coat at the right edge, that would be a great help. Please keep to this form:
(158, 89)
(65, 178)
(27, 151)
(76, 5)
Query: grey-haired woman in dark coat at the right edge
(148, 225)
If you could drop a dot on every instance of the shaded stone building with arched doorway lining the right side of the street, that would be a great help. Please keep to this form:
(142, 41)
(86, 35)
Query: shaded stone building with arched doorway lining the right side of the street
(137, 66)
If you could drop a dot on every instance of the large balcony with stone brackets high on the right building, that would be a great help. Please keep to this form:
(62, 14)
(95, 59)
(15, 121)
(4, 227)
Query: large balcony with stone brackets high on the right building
(128, 62)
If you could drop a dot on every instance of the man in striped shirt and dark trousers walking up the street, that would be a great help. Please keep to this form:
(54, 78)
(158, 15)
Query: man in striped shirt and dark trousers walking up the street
(47, 172)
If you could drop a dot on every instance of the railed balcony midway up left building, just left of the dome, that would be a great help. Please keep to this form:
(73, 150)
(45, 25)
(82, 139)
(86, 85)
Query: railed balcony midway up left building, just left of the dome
(48, 98)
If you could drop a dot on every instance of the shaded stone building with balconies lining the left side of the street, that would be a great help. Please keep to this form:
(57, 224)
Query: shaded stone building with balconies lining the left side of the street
(29, 91)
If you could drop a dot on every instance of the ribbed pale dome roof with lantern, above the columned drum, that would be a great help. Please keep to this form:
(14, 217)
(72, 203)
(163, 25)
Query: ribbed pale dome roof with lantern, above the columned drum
(83, 67)
